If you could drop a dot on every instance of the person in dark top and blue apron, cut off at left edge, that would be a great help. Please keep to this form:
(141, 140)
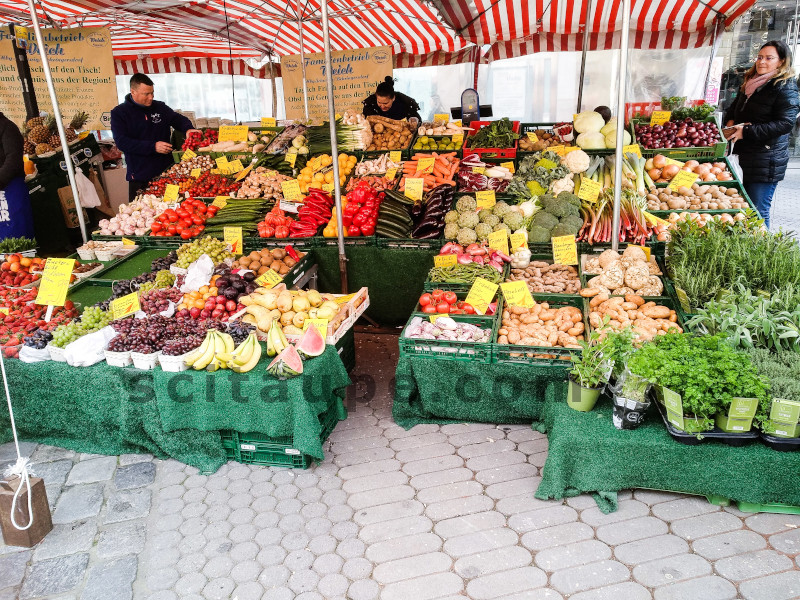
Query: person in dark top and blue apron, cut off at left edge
(16, 214)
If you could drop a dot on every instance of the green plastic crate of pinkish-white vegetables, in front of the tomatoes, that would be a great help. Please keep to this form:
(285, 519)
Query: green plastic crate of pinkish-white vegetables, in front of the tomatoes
(451, 350)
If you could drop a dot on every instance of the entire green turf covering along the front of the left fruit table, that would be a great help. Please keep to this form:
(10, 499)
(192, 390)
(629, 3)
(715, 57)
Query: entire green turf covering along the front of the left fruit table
(108, 410)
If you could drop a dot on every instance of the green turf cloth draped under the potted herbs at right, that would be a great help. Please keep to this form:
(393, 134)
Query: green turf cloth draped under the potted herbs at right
(586, 453)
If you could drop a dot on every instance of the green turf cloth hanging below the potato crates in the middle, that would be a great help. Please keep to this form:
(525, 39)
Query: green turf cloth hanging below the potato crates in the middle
(429, 390)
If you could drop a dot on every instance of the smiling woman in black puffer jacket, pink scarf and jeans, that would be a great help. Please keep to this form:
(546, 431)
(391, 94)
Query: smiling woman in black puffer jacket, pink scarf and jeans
(760, 120)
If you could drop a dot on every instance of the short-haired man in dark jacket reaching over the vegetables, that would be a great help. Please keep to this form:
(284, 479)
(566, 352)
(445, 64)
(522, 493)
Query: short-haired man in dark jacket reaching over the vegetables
(142, 129)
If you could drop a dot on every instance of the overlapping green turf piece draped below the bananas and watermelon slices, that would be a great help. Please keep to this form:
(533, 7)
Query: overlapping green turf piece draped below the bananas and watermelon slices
(254, 401)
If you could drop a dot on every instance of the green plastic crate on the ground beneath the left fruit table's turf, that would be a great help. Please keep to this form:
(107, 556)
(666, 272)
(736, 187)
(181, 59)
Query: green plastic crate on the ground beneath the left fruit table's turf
(256, 448)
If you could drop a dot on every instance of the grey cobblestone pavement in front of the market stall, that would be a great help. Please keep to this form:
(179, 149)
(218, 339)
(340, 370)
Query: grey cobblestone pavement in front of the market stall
(432, 513)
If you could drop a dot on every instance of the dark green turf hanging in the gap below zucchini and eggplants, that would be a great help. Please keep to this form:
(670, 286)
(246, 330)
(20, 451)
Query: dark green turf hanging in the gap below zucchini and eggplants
(395, 278)
